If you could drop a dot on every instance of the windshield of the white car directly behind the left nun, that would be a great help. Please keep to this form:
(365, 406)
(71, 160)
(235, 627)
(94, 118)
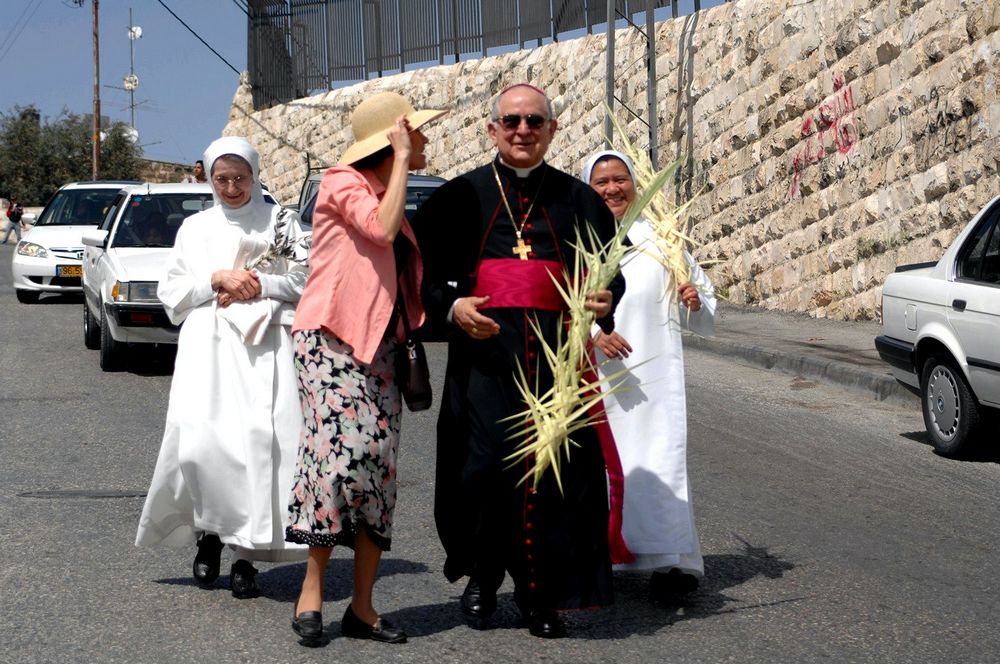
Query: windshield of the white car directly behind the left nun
(152, 220)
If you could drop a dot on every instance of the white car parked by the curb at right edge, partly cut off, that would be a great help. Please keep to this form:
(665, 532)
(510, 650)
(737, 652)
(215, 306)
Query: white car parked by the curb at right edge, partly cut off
(941, 335)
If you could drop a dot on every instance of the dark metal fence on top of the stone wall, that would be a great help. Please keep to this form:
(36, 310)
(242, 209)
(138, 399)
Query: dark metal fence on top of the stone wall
(301, 47)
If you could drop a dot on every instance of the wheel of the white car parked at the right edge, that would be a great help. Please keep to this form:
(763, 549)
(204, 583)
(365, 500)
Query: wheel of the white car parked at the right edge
(951, 413)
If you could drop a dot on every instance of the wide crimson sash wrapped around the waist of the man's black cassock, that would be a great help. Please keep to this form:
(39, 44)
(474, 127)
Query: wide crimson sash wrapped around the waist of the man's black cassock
(513, 283)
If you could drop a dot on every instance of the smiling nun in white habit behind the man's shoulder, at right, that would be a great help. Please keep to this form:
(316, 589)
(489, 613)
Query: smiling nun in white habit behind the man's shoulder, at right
(648, 418)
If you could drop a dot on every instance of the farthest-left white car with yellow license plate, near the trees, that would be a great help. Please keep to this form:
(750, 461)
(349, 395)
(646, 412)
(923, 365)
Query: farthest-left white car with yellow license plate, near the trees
(47, 259)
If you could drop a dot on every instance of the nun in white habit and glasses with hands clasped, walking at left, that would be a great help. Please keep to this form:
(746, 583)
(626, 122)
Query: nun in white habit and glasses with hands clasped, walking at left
(231, 437)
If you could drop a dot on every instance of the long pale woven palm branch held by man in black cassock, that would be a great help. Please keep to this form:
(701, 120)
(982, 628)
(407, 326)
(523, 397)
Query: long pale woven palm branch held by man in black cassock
(545, 428)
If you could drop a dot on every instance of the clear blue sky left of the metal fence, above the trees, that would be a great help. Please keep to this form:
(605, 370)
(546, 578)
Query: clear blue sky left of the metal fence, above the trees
(184, 93)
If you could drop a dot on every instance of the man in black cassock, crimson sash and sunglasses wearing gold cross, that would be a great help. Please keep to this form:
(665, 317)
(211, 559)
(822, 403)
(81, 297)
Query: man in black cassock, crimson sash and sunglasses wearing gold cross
(491, 238)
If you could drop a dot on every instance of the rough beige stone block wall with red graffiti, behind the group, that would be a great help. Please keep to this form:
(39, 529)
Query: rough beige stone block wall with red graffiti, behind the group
(825, 141)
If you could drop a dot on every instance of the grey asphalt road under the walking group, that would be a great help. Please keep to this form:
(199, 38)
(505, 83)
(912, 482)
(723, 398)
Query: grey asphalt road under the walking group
(831, 532)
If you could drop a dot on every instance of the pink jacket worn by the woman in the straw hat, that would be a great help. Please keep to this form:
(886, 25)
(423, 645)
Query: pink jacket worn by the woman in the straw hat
(352, 269)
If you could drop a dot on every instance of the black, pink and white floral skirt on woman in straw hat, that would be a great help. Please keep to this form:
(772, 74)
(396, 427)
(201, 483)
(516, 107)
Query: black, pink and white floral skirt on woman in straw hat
(346, 474)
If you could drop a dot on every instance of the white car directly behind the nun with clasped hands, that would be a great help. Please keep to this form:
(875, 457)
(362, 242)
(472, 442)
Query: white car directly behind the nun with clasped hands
(122, 262)
